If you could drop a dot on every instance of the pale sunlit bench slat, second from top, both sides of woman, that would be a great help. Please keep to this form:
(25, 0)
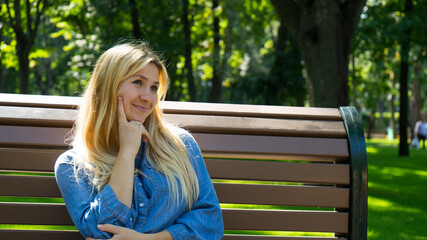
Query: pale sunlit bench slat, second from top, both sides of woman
(195, 123)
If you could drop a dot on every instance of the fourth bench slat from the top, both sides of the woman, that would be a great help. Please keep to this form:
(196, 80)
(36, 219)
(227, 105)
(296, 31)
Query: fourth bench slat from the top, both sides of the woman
(41, 160)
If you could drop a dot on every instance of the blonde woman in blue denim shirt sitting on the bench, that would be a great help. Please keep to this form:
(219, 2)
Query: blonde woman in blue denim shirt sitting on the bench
(130, 175)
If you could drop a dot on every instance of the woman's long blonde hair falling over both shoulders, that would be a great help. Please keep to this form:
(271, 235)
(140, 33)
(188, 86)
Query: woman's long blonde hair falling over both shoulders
(96, 139)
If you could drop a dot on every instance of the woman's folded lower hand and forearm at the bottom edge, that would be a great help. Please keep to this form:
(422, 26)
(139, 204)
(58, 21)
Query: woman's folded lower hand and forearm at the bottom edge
(129, 234)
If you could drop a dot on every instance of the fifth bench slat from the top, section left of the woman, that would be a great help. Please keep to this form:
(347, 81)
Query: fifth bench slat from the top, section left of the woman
(29, 186)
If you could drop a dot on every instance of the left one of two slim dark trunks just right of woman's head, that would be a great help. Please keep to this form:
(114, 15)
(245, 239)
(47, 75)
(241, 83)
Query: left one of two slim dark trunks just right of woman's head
(188, 52)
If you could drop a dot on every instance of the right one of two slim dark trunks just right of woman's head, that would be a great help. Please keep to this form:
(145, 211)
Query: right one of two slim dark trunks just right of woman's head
(216, 88)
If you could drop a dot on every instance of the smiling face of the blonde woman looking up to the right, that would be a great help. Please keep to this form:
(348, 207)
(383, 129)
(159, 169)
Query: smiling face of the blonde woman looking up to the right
(139, 93)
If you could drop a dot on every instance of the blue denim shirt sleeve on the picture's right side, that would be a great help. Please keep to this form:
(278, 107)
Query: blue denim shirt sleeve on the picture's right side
(204, 220)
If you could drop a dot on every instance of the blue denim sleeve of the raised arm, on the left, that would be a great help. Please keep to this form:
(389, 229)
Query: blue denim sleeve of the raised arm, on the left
(86, 206)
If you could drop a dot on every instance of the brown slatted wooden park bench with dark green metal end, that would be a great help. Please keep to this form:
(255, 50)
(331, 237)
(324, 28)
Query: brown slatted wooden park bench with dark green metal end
(293, 169)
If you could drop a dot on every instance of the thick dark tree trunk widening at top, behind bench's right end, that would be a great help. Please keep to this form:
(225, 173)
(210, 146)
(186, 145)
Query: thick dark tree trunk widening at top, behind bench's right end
(323, 30)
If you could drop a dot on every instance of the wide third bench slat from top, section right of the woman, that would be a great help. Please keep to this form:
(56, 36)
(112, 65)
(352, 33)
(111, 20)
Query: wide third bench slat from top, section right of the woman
(274, 145)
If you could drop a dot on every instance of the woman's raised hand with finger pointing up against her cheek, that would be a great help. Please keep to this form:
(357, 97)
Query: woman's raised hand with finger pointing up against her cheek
(130, 132)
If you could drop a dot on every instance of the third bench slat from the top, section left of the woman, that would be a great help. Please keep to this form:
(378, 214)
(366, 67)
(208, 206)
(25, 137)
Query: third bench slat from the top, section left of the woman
(33, 136)
